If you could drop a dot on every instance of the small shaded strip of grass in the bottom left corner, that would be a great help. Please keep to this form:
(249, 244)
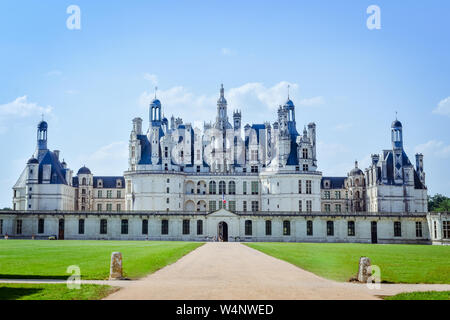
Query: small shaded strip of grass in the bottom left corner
(53, 292)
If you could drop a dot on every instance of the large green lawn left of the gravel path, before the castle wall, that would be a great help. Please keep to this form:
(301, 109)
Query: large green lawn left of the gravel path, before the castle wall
(36, 259)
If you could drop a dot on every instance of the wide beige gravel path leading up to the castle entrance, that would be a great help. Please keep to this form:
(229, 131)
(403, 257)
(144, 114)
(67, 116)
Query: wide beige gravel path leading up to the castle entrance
(218, 271)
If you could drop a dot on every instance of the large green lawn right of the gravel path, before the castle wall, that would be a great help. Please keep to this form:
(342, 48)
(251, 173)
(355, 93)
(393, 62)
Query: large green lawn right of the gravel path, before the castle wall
(398, 263)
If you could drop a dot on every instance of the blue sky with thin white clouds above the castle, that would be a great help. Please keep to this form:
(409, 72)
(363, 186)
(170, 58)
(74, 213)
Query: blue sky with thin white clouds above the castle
(89, 83)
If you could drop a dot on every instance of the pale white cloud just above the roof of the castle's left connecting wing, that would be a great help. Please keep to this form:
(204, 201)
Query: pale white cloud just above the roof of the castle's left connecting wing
(111, 159)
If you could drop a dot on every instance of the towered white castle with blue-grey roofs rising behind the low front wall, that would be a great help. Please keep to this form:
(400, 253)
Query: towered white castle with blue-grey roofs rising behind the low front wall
(267, 169)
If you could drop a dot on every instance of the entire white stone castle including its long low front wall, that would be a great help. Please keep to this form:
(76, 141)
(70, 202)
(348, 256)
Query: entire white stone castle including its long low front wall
(264, 171)
